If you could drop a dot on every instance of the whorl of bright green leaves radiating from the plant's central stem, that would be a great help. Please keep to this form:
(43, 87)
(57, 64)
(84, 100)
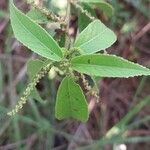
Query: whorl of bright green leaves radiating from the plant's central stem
(82, 57)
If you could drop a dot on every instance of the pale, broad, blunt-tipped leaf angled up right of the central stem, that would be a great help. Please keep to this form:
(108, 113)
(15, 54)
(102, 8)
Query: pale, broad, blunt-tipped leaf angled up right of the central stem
(95, 37)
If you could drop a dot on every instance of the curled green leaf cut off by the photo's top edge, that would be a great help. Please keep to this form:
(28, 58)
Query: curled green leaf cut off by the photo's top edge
(104, 6)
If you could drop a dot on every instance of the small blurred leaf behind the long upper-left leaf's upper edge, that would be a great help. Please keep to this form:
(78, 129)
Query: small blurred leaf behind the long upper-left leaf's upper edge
(37, 16)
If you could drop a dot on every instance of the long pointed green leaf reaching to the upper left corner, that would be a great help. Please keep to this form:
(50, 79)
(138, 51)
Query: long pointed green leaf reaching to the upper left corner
(33, 36)
